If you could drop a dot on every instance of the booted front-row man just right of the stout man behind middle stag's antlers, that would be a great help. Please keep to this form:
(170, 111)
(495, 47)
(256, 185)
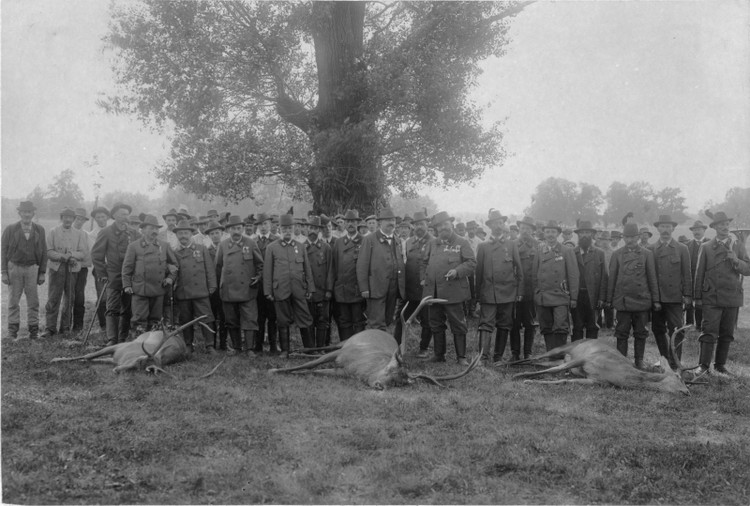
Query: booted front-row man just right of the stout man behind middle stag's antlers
(499, 277)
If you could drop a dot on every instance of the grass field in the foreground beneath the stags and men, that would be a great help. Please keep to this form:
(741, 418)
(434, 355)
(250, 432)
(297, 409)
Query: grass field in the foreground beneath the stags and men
(77, 433)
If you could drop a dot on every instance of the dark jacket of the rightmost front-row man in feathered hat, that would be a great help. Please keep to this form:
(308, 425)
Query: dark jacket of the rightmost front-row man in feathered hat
(718, 282)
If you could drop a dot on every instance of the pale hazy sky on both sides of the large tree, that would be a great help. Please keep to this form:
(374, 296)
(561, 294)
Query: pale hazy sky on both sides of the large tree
(592, 92)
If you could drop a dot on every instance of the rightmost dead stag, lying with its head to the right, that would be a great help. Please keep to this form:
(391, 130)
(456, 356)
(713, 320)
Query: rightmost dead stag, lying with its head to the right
(597, 363)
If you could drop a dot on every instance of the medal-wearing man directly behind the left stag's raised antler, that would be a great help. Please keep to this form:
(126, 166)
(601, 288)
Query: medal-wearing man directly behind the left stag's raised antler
(195, 283)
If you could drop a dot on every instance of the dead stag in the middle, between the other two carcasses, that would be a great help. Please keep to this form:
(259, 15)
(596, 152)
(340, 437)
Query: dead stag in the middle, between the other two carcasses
(374, 357)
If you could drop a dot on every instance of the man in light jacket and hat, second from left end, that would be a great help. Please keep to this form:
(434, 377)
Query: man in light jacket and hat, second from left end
(67, 248)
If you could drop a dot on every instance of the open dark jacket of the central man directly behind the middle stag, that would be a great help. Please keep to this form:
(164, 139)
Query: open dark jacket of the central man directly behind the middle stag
(378, 264)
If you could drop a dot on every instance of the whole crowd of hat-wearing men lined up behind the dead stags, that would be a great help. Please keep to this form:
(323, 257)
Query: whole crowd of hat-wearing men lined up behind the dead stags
(253, 279)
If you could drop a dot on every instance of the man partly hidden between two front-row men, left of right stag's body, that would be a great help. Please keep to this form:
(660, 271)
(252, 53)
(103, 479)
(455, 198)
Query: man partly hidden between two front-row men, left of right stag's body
(525, 313)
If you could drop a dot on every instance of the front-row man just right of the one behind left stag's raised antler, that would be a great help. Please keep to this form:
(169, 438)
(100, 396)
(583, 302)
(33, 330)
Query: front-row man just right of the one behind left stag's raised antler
(240, 264)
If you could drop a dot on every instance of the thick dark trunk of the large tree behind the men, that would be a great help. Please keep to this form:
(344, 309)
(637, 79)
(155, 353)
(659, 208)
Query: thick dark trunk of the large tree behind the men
(347, 172)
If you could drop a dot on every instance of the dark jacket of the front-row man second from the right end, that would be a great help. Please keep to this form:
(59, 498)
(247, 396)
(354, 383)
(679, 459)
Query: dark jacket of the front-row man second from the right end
(672, 263)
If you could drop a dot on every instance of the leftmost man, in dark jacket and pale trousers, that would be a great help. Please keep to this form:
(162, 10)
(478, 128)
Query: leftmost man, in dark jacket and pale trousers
(24, 251)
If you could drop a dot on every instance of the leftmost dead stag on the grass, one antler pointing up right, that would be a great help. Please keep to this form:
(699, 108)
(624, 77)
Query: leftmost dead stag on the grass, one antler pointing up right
(168, 348)
